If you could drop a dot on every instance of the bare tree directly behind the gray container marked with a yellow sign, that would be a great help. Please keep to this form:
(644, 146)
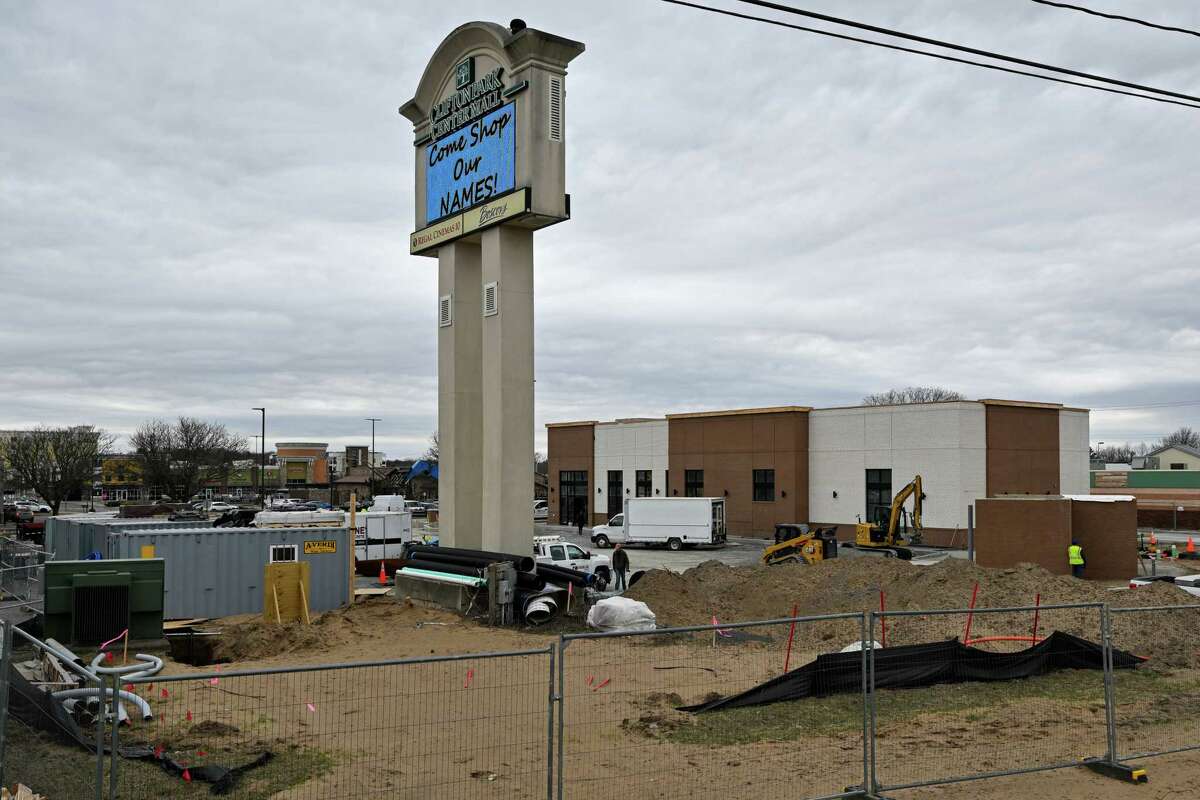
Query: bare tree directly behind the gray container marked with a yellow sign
(184, 455)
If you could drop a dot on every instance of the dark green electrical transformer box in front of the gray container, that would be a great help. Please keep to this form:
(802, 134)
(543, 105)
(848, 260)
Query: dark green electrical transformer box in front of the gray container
(89, 603)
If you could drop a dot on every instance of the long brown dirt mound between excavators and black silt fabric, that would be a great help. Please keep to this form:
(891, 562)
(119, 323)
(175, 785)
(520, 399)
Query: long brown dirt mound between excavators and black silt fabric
(743, 594)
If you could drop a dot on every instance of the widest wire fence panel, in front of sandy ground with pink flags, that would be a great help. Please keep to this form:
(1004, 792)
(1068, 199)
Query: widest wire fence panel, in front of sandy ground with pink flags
(437, 729)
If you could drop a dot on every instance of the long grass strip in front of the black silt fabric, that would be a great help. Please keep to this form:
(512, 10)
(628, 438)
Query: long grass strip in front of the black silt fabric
(842, 714)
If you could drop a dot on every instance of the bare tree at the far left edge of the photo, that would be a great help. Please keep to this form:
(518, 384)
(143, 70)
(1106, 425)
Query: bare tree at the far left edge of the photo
(56, 462)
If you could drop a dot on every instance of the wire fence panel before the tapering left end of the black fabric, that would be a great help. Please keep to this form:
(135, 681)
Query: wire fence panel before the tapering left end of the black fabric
(622, 729)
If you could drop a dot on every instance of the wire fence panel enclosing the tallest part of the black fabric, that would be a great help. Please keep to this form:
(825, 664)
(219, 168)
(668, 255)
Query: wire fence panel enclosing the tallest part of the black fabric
(944, 712)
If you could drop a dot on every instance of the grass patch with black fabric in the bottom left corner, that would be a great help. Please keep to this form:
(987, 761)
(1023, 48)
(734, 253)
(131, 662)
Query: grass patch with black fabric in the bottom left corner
(59, 771)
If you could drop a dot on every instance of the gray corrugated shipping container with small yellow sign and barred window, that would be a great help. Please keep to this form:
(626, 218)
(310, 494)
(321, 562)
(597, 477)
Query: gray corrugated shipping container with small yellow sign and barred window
(219, 572)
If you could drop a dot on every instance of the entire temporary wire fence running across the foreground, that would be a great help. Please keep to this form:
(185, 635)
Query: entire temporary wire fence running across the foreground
(767, 709)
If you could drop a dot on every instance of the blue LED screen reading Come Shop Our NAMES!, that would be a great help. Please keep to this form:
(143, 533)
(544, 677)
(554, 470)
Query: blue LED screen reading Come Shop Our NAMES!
(473, 165)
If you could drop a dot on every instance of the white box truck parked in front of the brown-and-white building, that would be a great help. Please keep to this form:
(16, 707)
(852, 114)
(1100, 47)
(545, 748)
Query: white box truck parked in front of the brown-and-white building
(674, 522)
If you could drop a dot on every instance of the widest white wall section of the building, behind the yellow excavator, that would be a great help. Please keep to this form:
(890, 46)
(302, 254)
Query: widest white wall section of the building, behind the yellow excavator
(944, 443)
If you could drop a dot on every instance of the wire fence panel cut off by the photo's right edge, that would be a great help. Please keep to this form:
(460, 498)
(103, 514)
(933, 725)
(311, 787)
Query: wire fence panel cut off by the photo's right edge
(1155, 707)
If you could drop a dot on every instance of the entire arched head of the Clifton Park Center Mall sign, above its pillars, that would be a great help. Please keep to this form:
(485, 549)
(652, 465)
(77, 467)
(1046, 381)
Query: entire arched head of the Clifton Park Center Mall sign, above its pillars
(489, 127)
